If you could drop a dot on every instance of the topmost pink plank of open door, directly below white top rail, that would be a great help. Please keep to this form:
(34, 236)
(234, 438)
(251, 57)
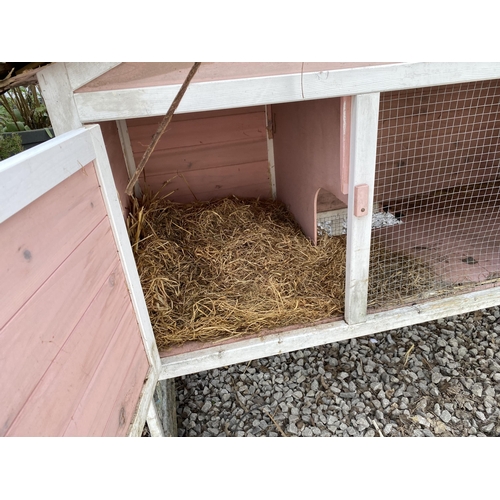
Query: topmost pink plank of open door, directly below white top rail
(36, 240)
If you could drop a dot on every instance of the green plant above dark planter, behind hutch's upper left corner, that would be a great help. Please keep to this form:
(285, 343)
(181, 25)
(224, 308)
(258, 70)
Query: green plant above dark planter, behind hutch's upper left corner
(23, 108)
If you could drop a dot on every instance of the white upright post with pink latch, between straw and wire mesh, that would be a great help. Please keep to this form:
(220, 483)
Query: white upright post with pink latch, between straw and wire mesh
(364, 125)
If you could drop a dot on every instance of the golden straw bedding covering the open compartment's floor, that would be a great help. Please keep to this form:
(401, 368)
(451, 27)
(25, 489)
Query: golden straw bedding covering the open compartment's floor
(226, 268)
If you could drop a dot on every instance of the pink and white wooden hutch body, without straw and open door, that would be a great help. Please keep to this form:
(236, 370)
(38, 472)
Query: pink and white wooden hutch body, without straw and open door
(402, 158)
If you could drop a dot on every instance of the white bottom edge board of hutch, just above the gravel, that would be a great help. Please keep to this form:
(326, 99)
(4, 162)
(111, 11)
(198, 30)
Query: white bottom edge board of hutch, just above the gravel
(303, 338)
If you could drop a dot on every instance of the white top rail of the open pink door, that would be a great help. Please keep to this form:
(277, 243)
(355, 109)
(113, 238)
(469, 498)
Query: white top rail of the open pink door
(28, 175)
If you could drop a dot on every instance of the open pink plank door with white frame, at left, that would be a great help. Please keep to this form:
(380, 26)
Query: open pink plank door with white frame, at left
(77, 352)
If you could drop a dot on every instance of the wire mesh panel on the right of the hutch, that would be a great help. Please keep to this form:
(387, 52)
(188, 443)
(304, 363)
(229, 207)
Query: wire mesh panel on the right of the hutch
(438, 175)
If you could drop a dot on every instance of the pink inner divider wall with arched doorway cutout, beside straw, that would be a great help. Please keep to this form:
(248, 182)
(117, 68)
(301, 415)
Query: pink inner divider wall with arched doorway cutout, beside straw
(307, 154)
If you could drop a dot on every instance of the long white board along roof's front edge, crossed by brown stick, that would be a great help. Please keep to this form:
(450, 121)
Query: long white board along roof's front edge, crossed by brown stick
(225, 94)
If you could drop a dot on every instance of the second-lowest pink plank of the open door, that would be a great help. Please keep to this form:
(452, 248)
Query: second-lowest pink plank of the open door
(107, 381)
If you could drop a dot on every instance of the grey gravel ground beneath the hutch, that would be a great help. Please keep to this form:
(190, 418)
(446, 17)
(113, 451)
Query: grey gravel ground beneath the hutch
(440, 378)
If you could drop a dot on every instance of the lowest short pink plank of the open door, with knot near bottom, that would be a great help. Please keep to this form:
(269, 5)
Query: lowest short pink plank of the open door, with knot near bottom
(125, 403)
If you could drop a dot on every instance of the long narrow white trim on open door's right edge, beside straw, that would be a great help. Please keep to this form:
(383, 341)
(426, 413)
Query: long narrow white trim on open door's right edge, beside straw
(115, 213)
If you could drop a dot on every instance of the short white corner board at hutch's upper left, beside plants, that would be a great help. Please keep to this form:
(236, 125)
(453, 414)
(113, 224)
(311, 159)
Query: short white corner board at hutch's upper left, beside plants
(58, 96)
